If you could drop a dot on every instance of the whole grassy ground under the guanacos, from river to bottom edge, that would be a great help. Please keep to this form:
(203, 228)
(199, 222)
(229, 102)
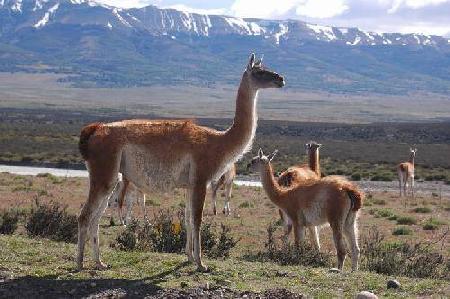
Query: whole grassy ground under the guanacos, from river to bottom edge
(39, 266)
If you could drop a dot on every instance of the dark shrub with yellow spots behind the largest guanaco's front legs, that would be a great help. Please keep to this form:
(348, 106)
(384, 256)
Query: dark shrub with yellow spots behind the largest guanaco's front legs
(167, 233)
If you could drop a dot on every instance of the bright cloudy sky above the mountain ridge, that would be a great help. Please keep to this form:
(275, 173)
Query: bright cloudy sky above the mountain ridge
(422, 16)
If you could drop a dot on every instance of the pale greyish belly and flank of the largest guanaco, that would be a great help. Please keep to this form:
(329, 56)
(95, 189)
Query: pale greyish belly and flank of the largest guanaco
(150, 173)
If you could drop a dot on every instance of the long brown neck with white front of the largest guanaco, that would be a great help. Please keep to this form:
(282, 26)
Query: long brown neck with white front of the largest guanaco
(242, 131)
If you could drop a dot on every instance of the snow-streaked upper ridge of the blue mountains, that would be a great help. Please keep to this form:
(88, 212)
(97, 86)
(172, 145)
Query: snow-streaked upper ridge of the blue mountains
(41, 13)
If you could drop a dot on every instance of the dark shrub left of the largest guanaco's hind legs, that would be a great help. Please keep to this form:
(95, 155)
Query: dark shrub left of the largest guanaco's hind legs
(52, 221)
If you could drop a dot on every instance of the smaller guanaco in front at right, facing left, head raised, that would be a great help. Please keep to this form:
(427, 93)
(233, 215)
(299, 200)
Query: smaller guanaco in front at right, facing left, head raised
(332, 199)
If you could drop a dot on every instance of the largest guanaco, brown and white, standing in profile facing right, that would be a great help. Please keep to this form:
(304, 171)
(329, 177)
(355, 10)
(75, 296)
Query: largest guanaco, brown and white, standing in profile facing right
(188, 156)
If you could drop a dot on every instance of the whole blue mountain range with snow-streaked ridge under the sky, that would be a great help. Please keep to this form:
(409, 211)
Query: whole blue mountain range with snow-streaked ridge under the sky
(99, 45)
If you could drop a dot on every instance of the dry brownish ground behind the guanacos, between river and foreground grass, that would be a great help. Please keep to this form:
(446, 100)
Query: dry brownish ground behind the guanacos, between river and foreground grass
(252, 211)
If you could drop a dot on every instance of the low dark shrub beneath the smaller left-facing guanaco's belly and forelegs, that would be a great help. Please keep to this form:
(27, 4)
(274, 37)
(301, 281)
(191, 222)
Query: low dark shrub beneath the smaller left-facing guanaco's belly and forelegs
(287, 254)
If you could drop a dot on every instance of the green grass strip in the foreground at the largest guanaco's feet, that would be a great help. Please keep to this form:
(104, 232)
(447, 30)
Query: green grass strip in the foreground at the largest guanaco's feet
(41, 259)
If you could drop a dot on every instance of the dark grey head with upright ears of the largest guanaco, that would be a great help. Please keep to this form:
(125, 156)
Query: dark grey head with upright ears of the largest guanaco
(260, 77)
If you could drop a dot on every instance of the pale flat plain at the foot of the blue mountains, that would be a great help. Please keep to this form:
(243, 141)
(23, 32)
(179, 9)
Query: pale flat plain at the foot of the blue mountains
(20, 90)
